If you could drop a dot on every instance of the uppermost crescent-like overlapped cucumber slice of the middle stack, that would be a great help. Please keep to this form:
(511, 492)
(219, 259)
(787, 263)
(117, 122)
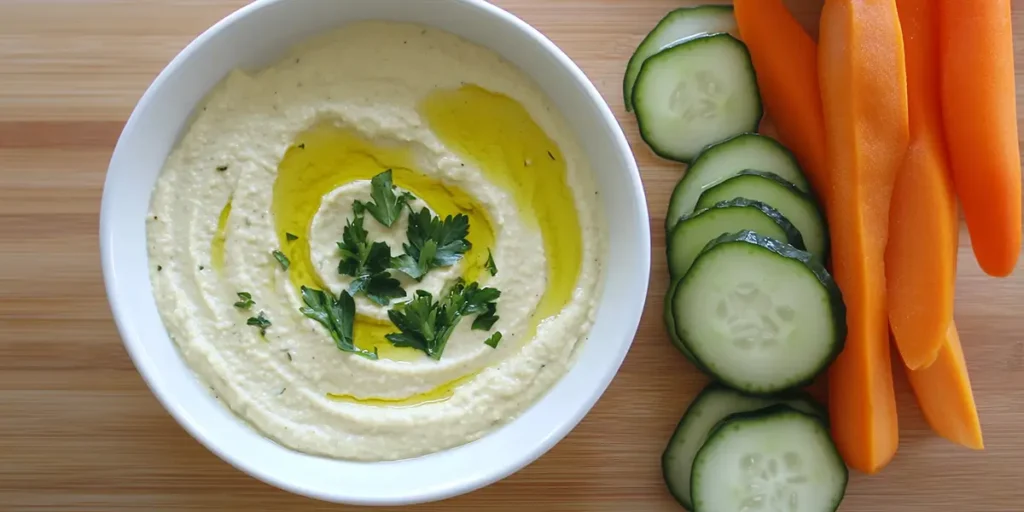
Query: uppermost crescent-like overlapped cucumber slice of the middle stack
(727, 159)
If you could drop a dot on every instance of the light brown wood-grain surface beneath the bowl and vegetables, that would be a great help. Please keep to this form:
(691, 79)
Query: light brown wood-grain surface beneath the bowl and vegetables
(80, 432)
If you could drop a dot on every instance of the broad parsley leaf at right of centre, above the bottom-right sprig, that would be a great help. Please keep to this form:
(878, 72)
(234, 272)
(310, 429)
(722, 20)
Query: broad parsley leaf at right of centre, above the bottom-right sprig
(433, 243)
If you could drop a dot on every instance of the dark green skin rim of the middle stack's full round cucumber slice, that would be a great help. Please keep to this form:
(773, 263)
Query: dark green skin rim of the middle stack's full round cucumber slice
(837, 307)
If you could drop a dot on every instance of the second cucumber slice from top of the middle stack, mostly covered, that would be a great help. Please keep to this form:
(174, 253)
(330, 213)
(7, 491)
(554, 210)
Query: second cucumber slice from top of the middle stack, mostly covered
(799, 207)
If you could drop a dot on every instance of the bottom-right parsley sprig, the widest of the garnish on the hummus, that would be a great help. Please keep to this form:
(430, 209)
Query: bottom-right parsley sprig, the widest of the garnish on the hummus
(426, 325)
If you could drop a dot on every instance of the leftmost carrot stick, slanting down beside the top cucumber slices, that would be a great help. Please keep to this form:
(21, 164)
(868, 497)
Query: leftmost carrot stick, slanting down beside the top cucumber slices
(786, 62)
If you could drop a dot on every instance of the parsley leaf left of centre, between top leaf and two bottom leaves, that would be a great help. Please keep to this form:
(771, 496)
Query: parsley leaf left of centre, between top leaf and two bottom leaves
(368, 264)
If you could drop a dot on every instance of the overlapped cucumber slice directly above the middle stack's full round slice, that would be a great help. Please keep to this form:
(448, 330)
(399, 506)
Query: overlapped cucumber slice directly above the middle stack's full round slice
(696, 231)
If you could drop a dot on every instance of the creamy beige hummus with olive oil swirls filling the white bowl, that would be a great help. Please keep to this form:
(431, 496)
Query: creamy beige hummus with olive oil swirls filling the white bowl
(276, 160)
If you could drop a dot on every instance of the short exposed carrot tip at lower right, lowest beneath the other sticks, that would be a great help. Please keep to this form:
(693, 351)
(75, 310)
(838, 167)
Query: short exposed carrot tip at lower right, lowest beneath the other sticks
(944, 393)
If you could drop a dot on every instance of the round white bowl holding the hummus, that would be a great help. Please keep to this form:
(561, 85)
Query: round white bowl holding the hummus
(257, 36)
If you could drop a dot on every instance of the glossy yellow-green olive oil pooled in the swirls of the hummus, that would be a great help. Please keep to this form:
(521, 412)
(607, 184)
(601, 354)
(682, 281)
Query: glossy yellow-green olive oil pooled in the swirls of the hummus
(488, 130)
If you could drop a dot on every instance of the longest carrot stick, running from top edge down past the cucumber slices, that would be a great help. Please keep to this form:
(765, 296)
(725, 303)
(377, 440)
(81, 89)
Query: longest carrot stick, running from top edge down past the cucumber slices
(864, 92)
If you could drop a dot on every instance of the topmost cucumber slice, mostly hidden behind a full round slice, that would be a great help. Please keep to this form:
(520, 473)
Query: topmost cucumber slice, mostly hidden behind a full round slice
(679, 25)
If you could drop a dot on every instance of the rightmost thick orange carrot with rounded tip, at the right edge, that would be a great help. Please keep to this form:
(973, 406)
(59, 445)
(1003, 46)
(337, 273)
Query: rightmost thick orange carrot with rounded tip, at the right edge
(980, 119)
